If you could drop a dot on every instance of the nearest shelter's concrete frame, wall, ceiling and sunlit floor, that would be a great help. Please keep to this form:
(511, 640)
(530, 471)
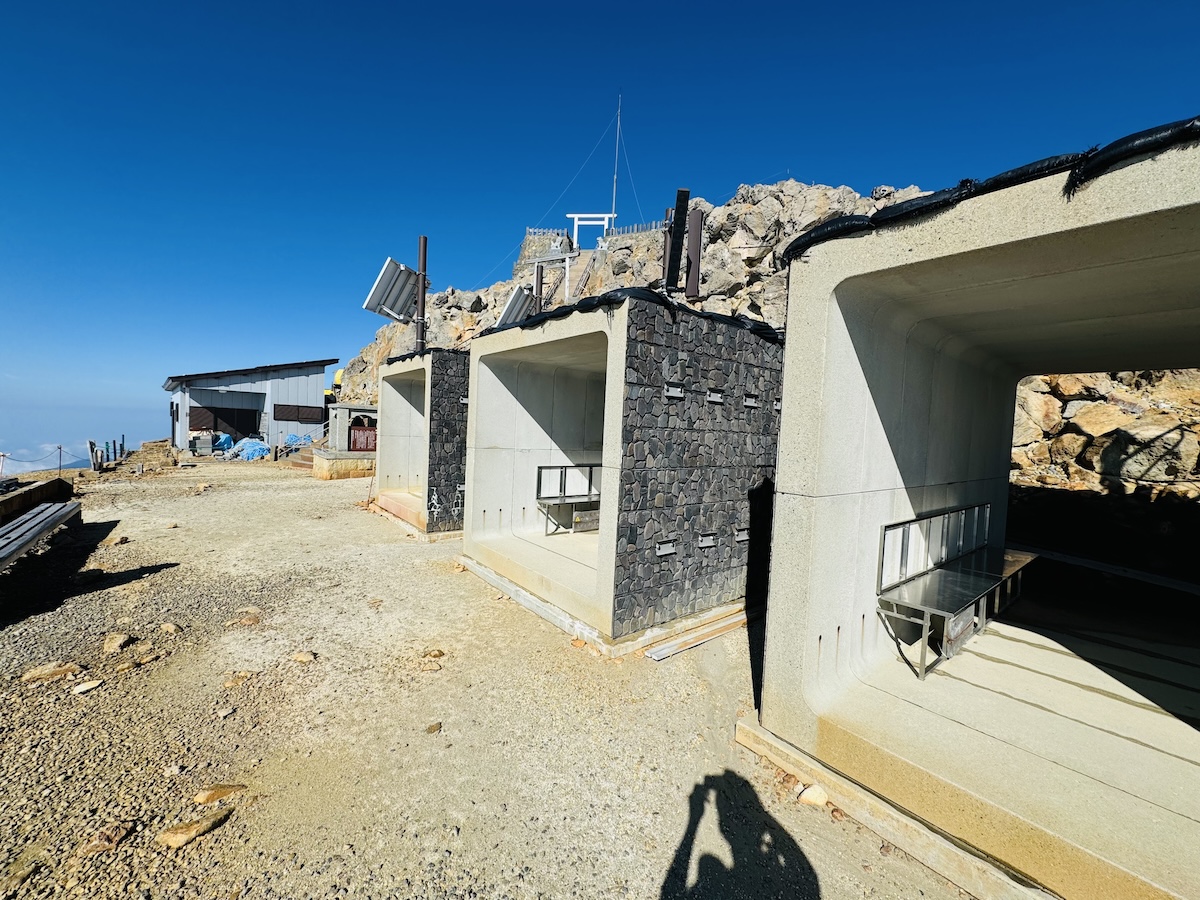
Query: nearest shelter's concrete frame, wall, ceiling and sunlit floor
(904, 351)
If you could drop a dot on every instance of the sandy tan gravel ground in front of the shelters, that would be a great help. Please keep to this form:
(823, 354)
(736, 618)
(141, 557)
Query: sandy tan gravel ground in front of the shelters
(443, 742)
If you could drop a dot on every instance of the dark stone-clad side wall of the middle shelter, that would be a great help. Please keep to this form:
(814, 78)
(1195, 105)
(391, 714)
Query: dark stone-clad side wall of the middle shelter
(697, 469)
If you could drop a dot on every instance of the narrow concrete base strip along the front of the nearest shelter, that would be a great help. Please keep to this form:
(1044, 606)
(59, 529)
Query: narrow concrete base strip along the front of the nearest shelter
(975, 875)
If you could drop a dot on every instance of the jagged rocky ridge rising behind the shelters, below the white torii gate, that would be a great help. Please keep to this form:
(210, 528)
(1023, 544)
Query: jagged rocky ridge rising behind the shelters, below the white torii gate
(739, 269)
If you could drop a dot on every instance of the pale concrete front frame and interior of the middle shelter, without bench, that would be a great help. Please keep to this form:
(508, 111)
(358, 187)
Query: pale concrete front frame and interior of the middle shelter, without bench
(538, 398)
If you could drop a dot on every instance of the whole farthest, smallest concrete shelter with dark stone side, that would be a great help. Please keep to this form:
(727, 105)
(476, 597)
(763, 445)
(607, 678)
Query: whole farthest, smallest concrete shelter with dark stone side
(422, 440)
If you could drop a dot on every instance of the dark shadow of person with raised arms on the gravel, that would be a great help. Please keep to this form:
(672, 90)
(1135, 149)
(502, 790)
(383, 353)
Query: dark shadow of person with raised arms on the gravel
(767, 863)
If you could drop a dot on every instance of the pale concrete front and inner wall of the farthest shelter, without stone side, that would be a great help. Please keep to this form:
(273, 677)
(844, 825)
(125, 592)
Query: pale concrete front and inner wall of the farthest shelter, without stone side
(403, 441)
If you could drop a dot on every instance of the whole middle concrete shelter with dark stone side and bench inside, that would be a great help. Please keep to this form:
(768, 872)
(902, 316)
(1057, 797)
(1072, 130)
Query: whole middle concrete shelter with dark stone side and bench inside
(620, 457)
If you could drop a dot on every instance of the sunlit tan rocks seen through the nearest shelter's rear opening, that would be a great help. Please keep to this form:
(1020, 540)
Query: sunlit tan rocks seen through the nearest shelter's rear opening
(1109, 431)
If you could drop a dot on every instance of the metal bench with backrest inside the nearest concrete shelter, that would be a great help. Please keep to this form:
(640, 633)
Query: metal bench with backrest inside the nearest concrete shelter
(940, 573)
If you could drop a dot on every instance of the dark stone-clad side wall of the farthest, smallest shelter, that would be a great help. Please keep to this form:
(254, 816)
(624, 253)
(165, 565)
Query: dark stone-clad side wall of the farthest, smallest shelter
(448, 440)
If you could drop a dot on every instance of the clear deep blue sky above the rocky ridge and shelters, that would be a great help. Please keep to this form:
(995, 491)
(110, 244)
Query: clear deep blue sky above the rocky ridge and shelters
(199, 187)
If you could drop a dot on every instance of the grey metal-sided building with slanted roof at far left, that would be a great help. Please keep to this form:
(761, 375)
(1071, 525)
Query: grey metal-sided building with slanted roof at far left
(273, 401)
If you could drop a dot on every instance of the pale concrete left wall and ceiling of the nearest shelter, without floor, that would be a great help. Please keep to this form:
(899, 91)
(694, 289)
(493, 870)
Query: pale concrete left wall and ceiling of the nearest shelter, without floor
(904, 350)
